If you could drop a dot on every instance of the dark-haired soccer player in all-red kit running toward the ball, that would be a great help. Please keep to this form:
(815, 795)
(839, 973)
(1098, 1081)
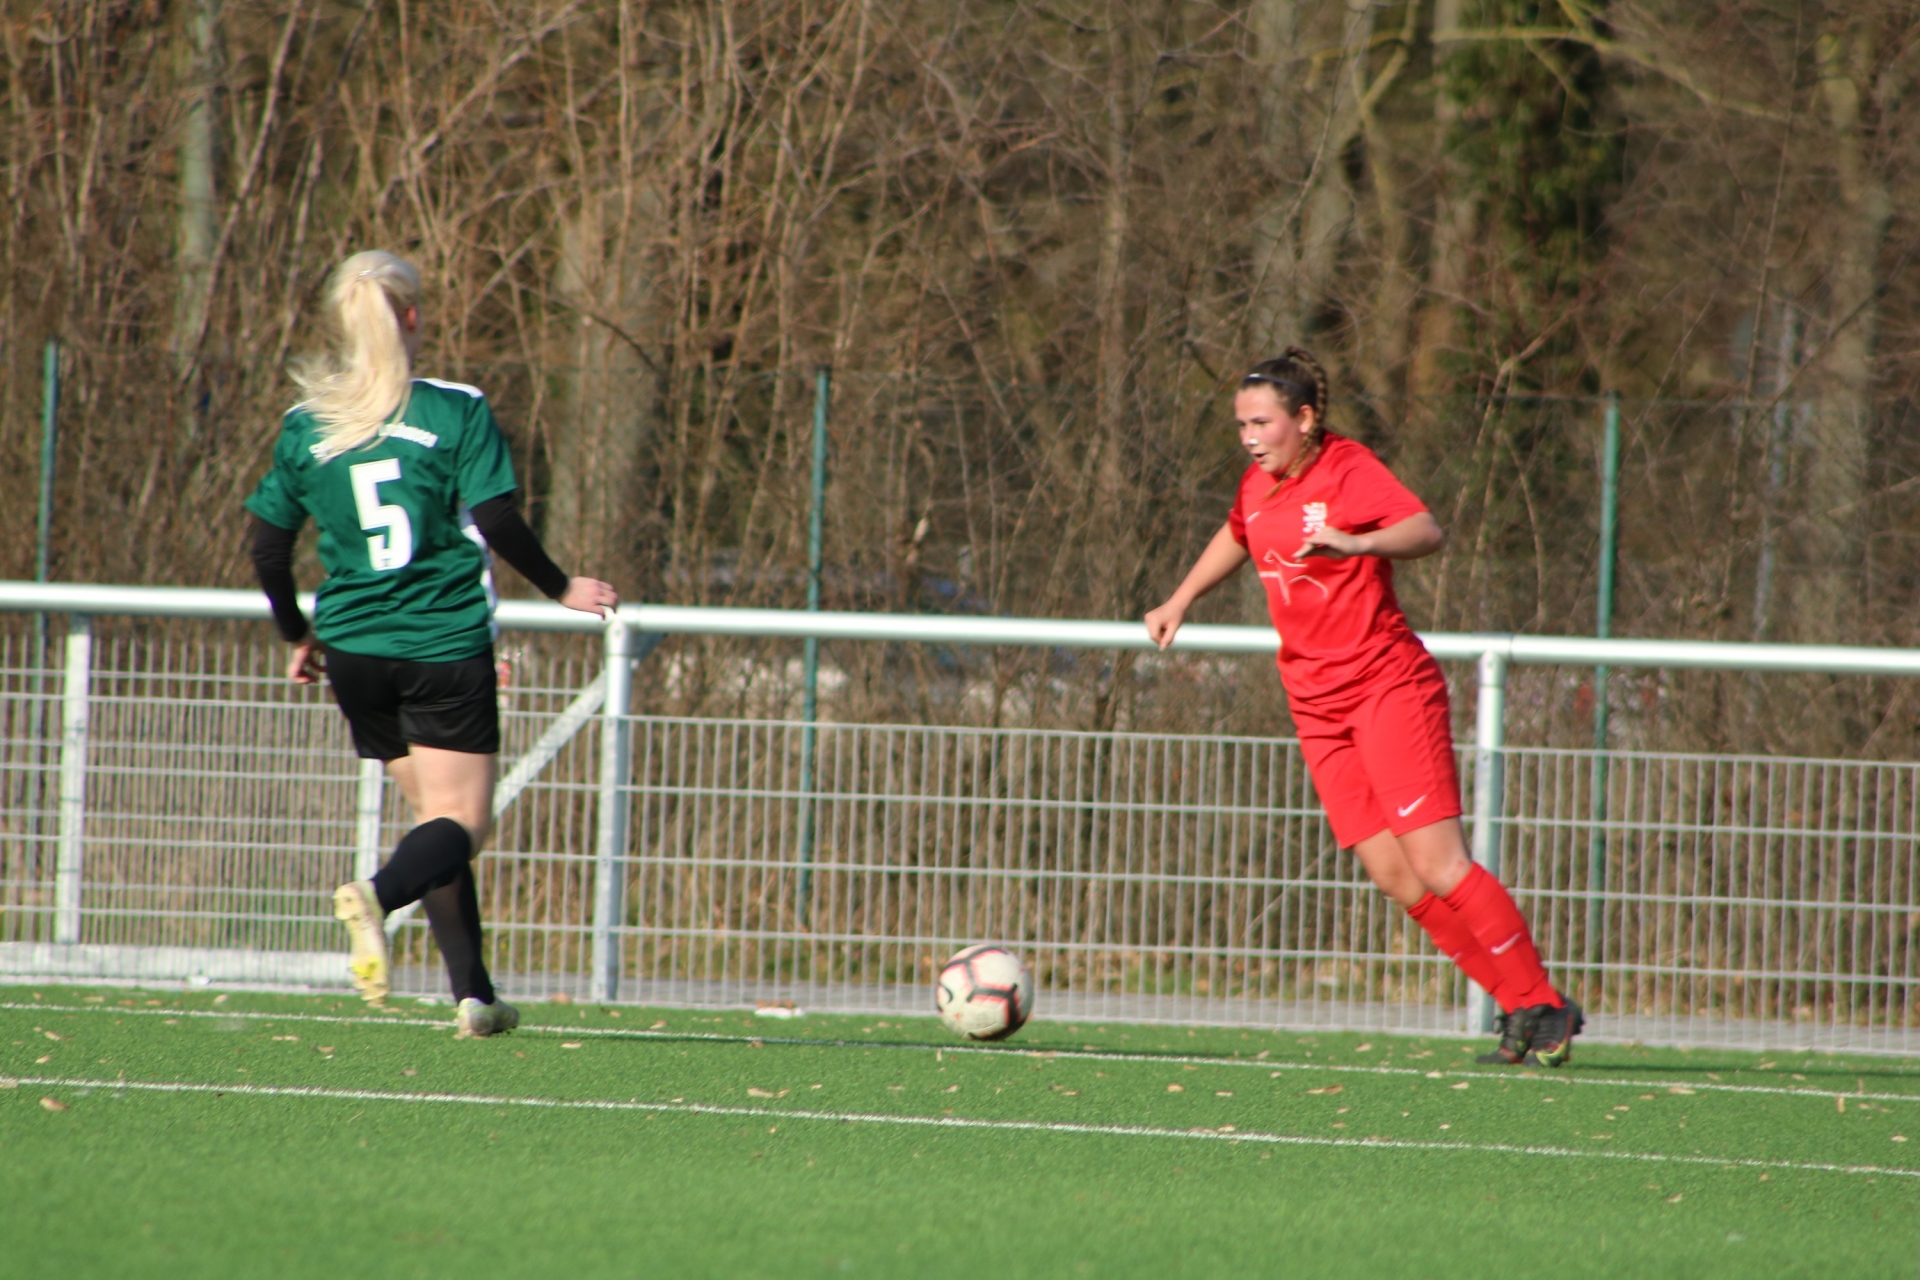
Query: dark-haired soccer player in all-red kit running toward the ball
(1324, 521)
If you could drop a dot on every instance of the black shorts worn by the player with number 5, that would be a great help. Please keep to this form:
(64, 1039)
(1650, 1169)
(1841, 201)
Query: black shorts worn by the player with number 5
(391, 703)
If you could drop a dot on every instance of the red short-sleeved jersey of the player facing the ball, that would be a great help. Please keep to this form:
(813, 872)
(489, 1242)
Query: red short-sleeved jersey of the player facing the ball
(1339, 621)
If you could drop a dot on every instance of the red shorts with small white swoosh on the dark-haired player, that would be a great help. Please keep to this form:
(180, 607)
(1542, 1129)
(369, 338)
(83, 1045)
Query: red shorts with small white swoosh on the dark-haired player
(1383, 757)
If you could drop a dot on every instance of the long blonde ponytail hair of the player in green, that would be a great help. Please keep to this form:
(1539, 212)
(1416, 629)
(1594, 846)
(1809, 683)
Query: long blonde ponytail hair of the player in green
(366, 375)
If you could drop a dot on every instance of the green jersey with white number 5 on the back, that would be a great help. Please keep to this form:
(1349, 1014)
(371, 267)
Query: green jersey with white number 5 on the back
(408, 575)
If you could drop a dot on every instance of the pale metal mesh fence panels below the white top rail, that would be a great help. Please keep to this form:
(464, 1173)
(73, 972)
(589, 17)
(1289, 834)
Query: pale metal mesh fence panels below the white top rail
(1687, 899)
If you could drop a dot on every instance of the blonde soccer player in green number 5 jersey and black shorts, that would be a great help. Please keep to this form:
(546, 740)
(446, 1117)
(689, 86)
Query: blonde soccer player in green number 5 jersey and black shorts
(410, 485)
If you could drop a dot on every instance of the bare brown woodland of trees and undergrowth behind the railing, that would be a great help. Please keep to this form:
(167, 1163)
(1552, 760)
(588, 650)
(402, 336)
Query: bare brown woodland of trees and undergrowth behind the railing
(1036, 243)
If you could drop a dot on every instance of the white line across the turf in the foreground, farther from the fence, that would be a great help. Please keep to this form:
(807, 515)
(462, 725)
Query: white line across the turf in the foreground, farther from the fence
(942, 1122)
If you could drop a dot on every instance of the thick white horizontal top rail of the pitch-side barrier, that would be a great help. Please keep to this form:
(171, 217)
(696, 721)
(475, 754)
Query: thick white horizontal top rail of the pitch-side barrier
(1038, 632)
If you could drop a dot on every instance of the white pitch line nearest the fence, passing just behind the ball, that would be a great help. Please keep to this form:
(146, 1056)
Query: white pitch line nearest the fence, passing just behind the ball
(713, 1037)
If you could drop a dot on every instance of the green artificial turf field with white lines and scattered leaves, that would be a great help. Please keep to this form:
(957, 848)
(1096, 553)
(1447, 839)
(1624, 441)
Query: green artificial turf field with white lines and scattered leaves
(199, 1135)
